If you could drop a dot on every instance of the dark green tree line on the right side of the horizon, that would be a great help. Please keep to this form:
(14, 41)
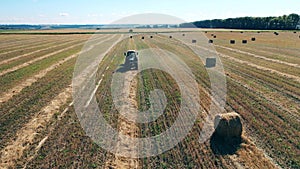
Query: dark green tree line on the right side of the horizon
(284, 22)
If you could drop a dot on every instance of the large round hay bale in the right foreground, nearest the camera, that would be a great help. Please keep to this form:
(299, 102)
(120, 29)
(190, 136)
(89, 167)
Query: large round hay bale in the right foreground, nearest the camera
(228, 125)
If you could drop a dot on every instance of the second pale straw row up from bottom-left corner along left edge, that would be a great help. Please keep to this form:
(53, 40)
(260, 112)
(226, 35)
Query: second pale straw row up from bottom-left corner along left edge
(28, 82)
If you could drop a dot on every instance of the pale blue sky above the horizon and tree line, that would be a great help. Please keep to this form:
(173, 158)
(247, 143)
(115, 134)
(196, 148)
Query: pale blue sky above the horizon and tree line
(107, 11)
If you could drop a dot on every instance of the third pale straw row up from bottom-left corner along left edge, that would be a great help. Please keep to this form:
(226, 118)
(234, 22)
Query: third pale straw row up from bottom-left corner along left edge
(38, 59)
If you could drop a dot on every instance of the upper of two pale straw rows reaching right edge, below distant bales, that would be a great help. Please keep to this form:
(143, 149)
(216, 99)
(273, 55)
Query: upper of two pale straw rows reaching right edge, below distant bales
(259, 56)
